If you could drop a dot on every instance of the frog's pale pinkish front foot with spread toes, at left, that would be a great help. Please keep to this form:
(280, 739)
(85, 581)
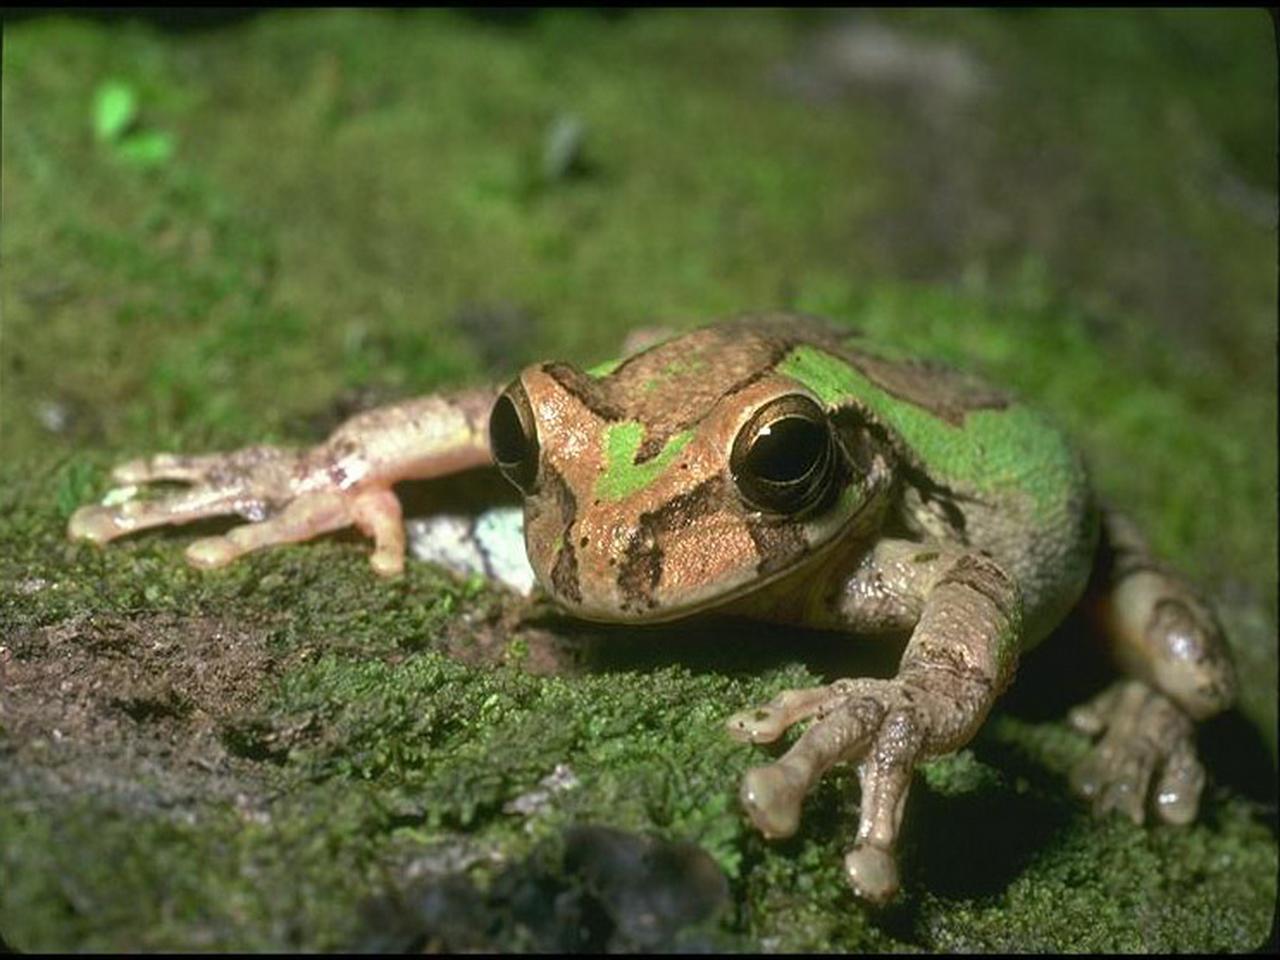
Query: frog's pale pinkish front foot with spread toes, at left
(281, 492)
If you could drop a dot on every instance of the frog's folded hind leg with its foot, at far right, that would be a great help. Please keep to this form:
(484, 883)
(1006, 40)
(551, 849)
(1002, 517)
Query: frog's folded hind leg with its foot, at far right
(1164, 636)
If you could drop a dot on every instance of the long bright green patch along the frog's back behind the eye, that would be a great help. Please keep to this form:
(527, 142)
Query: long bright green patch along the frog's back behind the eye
(995, 452)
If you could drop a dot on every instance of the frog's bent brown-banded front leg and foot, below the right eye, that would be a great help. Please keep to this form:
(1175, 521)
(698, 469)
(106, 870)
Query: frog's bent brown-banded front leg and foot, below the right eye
(966, 616)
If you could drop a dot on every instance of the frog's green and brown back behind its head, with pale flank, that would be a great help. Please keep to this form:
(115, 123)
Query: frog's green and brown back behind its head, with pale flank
(979, 467)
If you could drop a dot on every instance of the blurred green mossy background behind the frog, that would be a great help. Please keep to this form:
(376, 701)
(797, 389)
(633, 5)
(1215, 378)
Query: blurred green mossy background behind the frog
(225, 228)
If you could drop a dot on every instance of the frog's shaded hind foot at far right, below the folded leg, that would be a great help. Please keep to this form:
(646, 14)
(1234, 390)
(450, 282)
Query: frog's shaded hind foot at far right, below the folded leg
(1146, 739)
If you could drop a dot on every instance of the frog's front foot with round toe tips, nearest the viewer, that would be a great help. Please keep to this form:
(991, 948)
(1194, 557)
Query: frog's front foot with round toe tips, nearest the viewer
(883, 725)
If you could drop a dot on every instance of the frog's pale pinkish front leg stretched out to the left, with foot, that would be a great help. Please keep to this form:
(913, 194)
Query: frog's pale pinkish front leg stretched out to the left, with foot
(291, 496)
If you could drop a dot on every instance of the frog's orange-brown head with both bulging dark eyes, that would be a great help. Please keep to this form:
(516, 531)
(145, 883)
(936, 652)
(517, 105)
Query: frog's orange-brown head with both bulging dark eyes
(688, 476)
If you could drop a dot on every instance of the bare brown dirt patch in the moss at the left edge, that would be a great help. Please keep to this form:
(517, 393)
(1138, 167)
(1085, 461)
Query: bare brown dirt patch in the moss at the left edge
(135, 710)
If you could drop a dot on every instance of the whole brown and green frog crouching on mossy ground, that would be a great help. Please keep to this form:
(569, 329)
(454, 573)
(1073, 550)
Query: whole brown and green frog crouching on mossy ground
(779, 468)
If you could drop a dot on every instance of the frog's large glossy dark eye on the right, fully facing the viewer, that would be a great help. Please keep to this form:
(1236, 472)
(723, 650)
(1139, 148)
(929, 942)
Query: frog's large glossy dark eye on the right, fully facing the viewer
(784, 460)
